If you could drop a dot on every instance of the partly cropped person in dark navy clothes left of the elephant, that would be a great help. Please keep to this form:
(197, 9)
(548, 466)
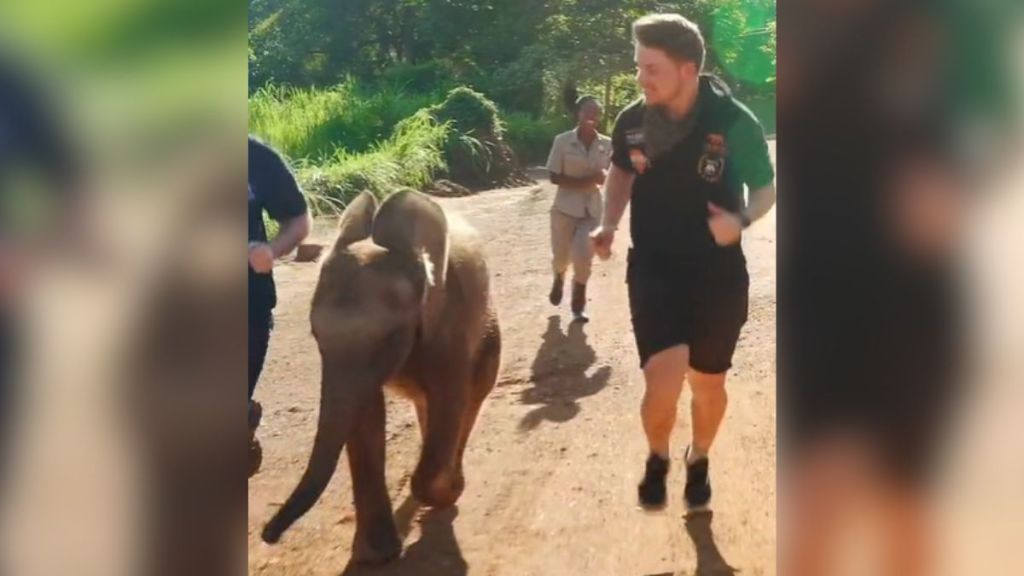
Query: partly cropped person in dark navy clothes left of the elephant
(272, 190)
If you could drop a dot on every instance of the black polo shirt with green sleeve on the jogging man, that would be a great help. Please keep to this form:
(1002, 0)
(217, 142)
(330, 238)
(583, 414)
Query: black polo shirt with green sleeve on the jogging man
(724, 151)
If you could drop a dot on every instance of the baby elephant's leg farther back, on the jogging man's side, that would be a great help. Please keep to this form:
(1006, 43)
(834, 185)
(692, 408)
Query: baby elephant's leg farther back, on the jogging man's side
(435, 481)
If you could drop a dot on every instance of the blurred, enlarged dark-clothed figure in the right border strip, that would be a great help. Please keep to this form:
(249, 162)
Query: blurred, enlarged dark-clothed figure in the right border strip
(872, 315)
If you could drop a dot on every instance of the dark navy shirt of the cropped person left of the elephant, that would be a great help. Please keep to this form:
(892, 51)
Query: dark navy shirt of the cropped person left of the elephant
(272, 188)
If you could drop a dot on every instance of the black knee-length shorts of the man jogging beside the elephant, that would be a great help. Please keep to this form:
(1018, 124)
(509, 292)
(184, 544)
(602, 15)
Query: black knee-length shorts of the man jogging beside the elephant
(704, 307)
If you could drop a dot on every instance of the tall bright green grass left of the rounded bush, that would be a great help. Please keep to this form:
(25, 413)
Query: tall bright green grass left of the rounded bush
(344, 141)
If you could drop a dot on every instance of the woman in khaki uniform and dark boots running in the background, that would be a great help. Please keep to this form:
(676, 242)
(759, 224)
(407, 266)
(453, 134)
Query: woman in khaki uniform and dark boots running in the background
(579, 164)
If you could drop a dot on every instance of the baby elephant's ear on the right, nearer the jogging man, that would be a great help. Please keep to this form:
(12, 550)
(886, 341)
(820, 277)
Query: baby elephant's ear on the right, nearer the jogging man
(409, 223)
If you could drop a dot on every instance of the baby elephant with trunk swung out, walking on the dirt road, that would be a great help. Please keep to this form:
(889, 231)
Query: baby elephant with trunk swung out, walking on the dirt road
(403, 301)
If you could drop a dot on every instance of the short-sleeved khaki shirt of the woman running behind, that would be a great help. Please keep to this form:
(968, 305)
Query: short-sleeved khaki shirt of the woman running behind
(571, 158)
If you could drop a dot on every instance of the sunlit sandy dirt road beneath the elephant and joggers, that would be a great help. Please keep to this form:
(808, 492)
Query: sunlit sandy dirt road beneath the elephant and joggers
(552, 466)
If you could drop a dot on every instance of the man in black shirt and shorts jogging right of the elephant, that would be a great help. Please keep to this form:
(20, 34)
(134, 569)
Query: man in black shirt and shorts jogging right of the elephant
(684, 155)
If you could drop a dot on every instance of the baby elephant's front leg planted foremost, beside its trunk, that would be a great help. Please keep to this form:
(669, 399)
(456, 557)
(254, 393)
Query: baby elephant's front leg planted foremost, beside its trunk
(376, 536)
